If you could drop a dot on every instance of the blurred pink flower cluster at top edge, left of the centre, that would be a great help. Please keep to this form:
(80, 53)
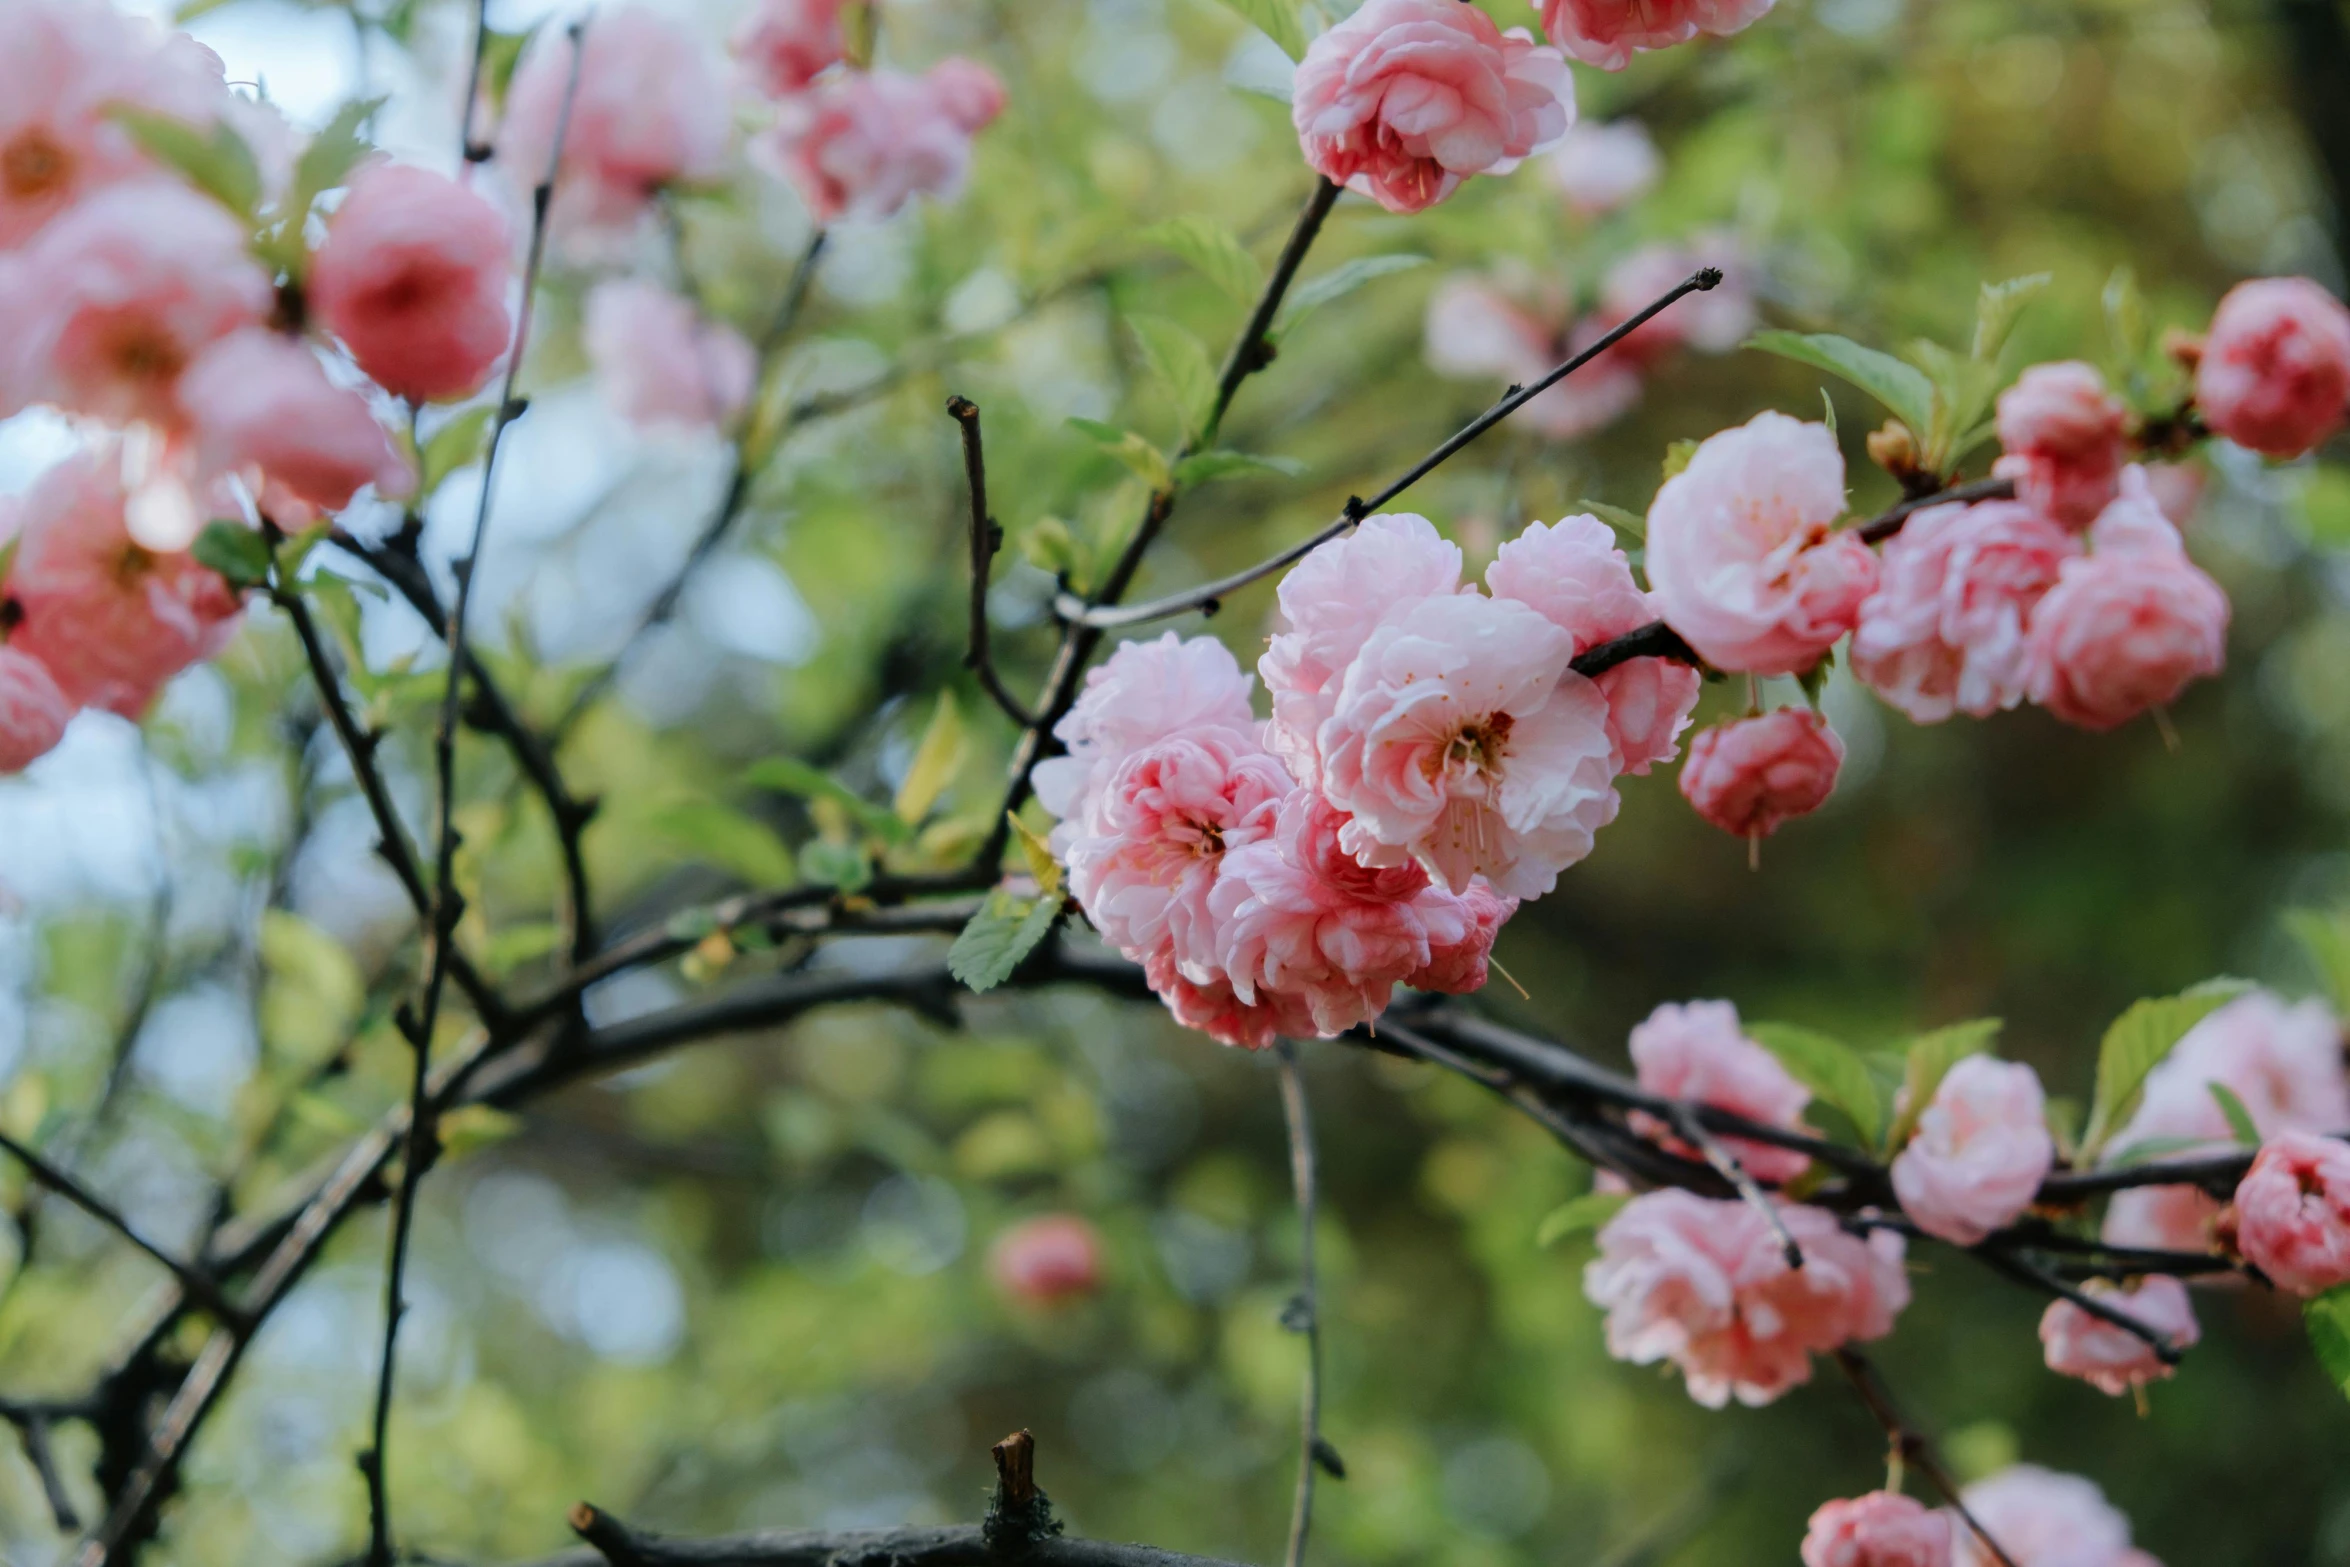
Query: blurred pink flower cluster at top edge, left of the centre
(859, 144)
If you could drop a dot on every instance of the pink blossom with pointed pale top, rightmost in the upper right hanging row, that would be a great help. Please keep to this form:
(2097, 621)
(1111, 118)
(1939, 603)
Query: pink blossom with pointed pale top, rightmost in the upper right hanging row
(2128, 626)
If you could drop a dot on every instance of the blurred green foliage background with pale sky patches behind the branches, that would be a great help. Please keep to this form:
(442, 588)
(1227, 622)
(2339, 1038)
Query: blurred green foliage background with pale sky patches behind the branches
(746, 1286)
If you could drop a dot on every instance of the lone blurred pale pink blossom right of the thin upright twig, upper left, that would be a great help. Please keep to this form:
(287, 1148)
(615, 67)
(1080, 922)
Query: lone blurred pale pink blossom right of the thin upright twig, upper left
(664, 365)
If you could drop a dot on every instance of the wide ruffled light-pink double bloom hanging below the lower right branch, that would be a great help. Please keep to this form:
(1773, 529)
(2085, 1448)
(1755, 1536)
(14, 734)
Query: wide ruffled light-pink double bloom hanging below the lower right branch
(1707, 1286)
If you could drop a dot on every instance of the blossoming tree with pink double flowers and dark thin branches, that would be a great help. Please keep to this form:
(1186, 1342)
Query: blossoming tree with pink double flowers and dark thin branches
(271, 354)
